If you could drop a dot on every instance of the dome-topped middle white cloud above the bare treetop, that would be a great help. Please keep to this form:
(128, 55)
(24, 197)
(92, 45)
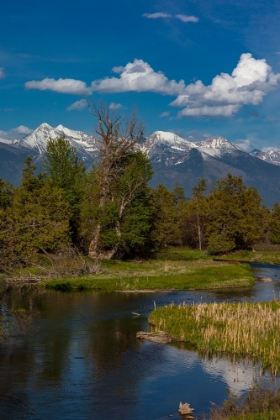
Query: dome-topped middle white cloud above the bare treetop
(138, 77)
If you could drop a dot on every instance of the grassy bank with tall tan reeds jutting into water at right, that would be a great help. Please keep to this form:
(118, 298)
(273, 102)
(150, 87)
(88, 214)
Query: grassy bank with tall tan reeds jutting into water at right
(242, 329)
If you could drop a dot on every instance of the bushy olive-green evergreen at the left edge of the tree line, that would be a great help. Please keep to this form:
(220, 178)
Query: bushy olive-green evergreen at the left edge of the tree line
(37, 219)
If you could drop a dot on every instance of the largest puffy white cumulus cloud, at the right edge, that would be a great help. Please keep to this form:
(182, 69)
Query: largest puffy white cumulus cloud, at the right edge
(249, 82)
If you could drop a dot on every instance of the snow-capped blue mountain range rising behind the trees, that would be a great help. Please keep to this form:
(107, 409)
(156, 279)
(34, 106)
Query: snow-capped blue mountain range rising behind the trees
(174, 159)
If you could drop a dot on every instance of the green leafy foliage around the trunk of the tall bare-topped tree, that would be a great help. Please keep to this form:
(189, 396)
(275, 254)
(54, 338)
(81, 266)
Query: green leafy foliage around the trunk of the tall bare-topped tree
(124, 217)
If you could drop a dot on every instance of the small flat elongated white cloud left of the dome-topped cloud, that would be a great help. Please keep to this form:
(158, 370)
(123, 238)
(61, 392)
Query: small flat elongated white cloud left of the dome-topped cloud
(71, 86)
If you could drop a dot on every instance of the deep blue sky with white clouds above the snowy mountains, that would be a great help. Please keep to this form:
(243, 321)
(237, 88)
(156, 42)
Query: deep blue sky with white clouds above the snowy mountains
(198, 68)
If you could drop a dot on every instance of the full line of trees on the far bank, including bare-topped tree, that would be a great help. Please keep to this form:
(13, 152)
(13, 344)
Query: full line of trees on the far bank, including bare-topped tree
(110, 211)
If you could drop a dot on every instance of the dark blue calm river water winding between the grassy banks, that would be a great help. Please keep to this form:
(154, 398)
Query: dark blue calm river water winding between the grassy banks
(80, 358)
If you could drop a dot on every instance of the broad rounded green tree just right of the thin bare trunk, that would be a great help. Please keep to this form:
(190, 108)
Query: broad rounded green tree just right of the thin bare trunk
(236, 217)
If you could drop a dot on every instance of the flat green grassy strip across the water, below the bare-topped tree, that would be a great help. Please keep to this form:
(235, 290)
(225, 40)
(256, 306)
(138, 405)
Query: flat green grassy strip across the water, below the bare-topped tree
(160, 275)
